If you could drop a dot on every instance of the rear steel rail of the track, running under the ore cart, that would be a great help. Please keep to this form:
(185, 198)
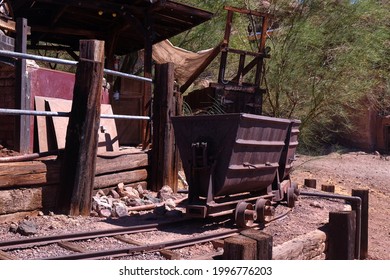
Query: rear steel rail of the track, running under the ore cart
(45, 240)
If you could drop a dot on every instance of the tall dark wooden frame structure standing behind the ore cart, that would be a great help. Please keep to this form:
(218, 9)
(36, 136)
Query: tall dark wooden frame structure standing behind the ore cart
(241, 93)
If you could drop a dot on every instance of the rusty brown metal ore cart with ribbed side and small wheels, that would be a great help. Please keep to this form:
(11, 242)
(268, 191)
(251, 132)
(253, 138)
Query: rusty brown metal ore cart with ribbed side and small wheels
(237, 164)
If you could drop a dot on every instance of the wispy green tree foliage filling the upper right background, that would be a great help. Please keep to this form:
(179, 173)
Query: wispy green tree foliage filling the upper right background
(329, 60)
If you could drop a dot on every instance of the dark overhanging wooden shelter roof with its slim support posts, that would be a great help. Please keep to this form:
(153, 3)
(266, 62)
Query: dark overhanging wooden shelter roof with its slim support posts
(124, 27)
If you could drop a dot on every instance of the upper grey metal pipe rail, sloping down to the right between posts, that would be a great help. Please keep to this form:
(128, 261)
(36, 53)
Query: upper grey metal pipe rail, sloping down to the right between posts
(68, 62)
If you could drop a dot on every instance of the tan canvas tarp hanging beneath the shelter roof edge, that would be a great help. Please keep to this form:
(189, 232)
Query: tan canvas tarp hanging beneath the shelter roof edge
(186, 62)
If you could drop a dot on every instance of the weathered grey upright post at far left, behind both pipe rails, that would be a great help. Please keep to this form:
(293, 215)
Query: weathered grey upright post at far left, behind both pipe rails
(22, 140)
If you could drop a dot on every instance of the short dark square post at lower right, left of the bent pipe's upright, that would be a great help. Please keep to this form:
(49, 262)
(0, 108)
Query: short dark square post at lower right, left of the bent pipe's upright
(342, 233)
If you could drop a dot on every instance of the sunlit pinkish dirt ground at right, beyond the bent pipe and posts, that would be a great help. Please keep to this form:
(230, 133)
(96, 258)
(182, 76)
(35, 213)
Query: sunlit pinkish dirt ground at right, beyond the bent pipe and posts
(356, 170)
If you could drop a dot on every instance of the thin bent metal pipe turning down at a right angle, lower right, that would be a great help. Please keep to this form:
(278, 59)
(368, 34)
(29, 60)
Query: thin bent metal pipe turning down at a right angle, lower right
(354, 199)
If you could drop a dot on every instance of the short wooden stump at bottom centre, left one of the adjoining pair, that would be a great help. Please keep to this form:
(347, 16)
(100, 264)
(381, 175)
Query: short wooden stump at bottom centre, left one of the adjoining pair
(240, 248)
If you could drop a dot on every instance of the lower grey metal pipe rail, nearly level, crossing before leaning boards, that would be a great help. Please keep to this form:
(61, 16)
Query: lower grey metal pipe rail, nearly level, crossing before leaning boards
(65, 114)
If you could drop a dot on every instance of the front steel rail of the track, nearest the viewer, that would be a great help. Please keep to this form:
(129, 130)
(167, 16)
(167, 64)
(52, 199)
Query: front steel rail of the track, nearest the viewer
(168, 245)
